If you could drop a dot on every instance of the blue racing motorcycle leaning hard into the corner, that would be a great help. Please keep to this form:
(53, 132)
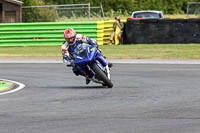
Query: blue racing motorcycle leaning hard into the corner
(92, 64)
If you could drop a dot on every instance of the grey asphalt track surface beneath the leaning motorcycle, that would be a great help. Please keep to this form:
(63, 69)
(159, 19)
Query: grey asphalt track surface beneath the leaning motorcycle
(146, 98)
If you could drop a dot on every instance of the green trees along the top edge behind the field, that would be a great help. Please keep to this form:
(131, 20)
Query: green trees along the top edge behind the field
(167, 6)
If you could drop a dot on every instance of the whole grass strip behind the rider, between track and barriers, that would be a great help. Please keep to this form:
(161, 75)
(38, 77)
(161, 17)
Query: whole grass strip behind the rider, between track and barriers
(139, 51)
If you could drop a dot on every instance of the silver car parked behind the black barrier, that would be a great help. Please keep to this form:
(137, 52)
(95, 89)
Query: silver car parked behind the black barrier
(147, 14)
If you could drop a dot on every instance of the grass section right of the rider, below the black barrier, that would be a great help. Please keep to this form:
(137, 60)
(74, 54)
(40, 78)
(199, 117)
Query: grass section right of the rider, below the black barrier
(153, 51)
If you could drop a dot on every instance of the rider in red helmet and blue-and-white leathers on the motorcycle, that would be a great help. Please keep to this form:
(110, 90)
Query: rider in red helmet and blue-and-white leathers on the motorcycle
(68, 46)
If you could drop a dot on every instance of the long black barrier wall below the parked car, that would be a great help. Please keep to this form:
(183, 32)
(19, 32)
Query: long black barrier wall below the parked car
(162, 31)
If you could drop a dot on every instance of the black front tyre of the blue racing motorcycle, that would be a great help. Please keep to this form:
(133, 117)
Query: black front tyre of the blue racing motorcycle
(102, 76)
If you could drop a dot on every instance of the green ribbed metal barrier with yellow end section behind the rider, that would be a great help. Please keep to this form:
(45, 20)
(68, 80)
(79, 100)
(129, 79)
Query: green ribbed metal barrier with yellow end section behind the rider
(52, 33)
